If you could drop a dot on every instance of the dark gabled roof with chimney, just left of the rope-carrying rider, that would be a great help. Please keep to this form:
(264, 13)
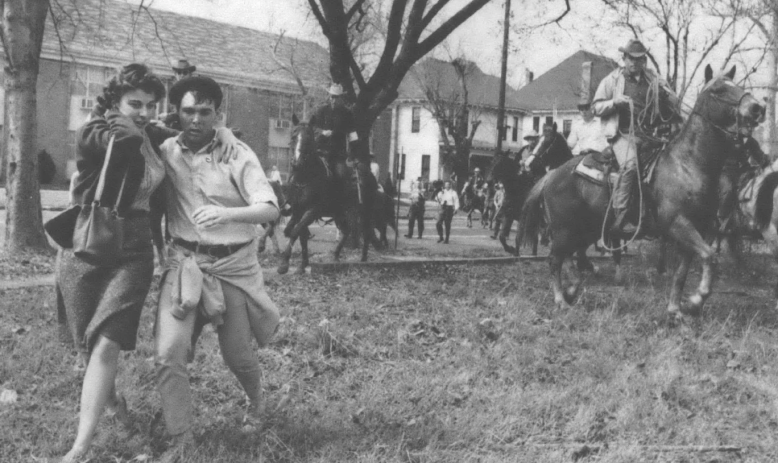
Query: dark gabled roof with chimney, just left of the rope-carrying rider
(561, 85)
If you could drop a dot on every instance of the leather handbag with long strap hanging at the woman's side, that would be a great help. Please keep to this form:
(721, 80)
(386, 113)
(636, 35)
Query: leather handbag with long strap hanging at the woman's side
(99, 231)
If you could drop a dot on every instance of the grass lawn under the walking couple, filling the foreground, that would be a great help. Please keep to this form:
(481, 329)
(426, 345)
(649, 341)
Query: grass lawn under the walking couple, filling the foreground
(444, 364)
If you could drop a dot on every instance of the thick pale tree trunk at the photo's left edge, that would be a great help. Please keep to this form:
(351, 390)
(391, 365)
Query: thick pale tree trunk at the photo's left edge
(23, 24)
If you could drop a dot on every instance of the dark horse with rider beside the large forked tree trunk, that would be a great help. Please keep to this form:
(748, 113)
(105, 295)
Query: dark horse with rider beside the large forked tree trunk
(313, 192)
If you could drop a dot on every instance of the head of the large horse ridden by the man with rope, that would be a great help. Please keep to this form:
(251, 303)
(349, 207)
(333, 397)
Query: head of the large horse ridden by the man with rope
(727, 105)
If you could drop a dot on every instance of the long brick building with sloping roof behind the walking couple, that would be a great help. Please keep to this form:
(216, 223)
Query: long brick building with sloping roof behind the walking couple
(103, 35)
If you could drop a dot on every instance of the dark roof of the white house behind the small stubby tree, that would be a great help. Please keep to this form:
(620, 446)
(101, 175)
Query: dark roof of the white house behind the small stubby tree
(483, 89)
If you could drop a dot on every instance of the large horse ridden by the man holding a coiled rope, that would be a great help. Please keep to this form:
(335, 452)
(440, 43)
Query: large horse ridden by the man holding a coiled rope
(681, 193)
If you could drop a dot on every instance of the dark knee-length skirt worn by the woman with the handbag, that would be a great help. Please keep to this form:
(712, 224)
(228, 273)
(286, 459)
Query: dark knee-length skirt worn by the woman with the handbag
(107, 300)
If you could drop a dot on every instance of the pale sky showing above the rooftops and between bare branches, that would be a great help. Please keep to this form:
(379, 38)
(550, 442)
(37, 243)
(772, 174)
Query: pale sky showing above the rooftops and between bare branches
(587, 27)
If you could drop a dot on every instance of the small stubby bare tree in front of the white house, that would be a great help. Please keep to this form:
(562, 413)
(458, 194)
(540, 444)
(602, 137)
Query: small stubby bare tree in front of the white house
(450, 103)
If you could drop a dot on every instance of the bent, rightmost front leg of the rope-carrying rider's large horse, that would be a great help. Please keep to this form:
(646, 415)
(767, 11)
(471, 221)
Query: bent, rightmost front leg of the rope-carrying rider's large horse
(688, 237)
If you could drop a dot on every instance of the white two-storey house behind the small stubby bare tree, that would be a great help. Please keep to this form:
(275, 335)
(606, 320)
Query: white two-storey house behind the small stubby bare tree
(415, 136)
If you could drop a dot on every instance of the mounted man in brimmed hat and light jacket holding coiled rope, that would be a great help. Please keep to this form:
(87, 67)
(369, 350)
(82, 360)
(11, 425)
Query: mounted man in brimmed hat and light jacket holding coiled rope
(632, 103)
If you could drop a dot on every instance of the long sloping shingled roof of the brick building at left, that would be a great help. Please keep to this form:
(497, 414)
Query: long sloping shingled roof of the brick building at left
(115, 33)
